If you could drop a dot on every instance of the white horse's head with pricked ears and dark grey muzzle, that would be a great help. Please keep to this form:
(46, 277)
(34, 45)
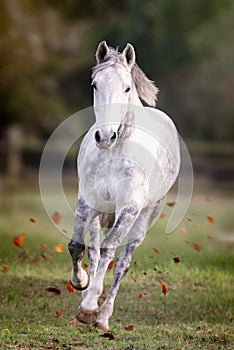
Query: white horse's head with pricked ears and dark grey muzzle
(113, 91)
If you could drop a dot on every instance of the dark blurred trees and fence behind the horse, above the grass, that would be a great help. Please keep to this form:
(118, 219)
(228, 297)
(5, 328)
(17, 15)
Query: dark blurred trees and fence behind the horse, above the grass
(47, 49)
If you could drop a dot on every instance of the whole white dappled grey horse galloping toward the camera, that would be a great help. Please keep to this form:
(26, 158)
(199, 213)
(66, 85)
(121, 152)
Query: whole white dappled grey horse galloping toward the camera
(124, 175)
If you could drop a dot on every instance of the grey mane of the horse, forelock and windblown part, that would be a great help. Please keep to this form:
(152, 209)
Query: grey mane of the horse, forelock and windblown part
(146, 88)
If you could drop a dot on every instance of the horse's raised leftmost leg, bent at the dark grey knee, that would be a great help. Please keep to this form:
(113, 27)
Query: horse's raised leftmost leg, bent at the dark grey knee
(83, 217)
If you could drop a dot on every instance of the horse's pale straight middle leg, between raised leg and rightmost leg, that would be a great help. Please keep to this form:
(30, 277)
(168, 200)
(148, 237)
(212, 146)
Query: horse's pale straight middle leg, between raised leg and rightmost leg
(89, 306)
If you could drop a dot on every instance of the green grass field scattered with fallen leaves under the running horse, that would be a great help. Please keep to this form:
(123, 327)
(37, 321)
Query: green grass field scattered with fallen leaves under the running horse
(196, 312)
